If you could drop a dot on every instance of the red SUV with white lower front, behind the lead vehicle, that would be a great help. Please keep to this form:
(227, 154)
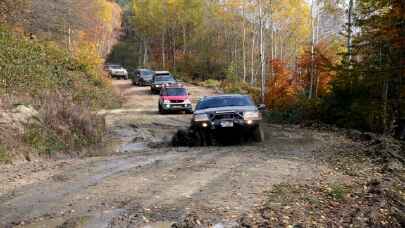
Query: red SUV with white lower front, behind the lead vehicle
(174, 97)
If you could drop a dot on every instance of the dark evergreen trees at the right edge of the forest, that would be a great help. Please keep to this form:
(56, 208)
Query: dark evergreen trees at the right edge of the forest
(367, 91)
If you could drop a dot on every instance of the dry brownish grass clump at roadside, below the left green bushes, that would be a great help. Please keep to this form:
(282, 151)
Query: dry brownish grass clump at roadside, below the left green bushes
(64, 126)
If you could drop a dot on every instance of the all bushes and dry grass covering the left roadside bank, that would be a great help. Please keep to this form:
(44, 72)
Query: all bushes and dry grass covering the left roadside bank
(64, 89)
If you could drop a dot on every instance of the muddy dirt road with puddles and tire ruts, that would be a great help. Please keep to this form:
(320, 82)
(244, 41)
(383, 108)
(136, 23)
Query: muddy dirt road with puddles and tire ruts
(143, 182)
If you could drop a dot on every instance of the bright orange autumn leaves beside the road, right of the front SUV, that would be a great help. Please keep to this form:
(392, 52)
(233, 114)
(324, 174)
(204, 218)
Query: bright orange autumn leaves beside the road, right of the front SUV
(285, 85)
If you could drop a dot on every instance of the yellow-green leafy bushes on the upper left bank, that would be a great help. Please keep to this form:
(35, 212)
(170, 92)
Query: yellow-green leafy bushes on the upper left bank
(35, 68)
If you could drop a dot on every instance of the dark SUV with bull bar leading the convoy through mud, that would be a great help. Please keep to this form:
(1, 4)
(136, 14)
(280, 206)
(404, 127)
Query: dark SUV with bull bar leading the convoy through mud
(223, 115)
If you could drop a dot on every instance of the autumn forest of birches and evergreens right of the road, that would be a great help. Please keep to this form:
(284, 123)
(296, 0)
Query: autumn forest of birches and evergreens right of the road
(339, 62)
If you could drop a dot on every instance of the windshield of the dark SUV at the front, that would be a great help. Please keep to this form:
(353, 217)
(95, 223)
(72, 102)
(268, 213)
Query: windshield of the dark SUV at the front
(216, 102)
